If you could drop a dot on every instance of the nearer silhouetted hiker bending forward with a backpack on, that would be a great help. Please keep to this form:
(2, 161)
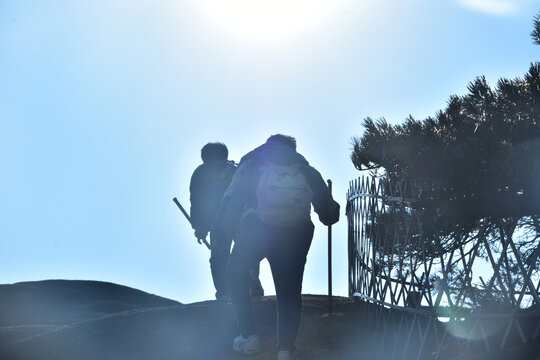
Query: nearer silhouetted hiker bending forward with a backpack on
(268, 207)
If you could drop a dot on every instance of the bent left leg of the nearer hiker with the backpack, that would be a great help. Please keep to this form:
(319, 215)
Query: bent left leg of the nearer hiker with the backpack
(248, 251)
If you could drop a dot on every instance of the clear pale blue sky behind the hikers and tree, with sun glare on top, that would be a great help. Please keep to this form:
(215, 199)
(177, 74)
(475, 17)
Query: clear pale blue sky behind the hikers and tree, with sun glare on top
(104, 106)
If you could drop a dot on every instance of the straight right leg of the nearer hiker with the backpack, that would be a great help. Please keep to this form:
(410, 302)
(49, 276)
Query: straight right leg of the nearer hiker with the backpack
(287, 259)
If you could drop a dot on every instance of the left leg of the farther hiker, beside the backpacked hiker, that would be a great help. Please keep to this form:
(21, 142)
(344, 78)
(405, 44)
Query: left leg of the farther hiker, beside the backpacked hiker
(219, 256)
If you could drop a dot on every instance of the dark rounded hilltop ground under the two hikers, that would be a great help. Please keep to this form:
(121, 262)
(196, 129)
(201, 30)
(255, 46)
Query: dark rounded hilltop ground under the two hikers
(79, 320)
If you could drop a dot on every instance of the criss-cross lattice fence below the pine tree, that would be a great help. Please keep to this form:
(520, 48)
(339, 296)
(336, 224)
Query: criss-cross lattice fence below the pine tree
(441, 295)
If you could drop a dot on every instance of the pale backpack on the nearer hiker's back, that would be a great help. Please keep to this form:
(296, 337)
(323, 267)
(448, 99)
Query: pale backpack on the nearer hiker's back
(283, 195)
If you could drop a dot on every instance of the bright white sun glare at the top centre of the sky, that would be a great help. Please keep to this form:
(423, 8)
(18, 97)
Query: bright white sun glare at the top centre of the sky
(268, 20)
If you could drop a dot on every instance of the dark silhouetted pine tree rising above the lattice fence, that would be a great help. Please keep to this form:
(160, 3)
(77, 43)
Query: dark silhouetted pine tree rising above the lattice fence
(477, 160)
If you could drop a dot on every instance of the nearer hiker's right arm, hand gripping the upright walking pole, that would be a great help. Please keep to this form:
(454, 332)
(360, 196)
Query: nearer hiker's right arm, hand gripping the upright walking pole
(323, 203)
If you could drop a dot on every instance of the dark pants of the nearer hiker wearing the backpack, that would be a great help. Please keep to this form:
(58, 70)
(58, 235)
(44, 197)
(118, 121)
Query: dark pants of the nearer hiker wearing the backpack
(286, 250)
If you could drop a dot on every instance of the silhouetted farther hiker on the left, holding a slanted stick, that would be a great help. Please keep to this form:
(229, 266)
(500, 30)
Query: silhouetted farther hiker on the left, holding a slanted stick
(208, 183)
